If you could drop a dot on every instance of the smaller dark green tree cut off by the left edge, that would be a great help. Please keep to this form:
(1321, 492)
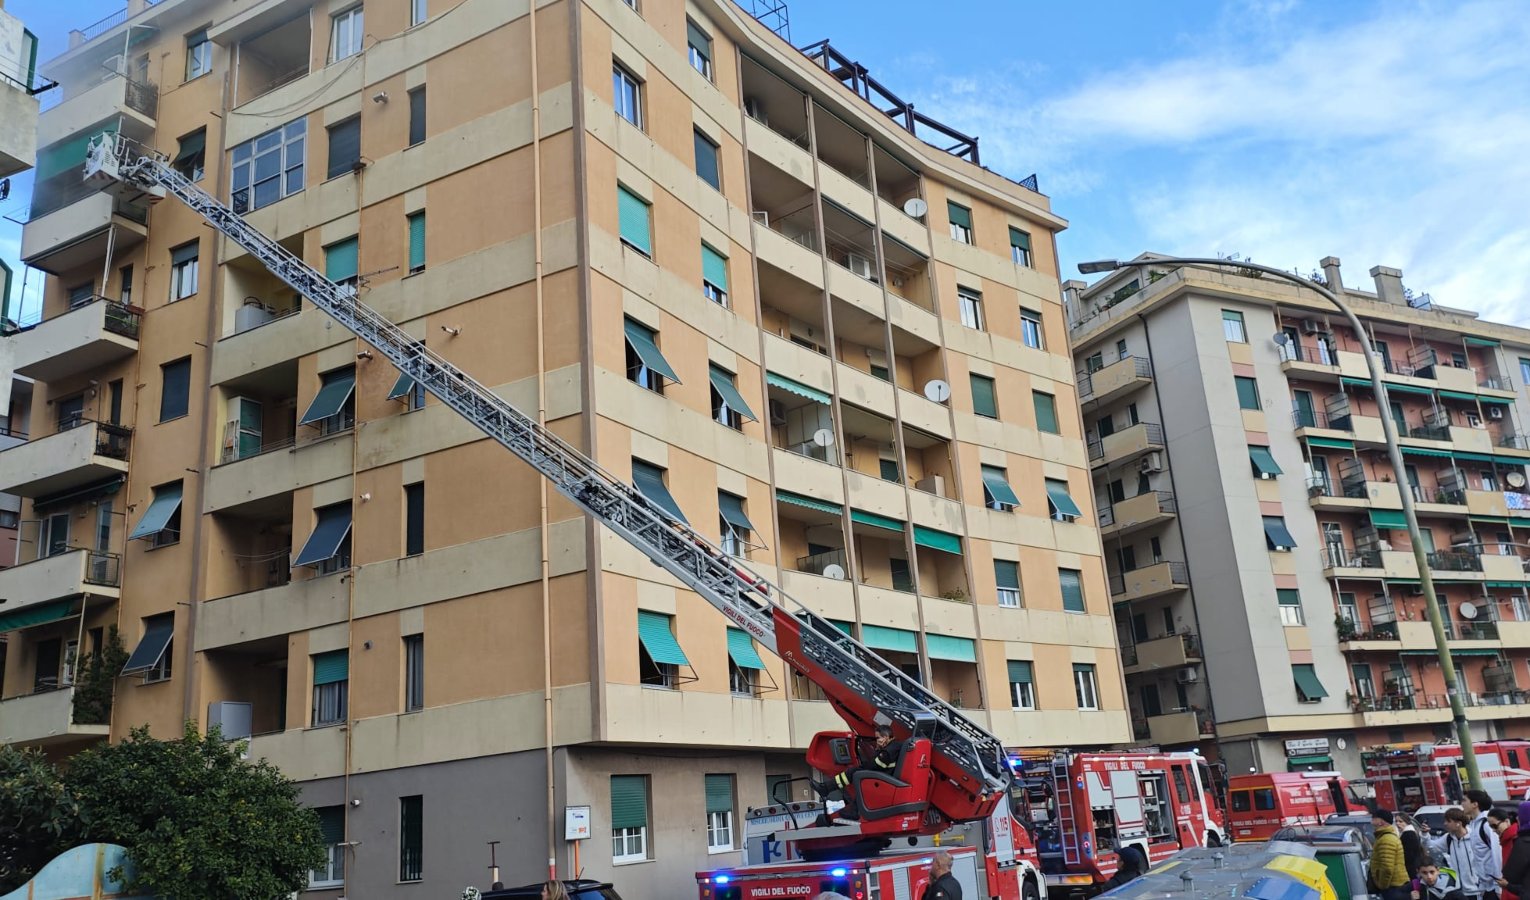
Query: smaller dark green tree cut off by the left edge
(39, 817)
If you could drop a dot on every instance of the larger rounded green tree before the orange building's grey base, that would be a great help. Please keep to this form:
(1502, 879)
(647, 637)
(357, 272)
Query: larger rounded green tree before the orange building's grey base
(197, 820)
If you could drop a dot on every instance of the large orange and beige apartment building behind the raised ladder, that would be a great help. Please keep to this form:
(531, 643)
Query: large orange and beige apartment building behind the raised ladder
(700, 256)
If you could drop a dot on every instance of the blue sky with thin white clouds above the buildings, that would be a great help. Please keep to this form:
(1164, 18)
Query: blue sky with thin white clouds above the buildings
(1284, 131)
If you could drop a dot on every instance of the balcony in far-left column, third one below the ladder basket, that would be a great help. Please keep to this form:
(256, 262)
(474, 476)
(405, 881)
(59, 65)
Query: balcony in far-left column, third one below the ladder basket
(82, 454)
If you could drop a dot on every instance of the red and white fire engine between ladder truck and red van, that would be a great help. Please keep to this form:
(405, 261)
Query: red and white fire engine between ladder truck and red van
(1082, 806)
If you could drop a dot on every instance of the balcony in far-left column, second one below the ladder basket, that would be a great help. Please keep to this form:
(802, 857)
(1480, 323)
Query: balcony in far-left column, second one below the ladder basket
(83, 337)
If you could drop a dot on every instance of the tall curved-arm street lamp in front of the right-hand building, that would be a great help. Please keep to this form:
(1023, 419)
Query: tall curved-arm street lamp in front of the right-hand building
(1395, 454)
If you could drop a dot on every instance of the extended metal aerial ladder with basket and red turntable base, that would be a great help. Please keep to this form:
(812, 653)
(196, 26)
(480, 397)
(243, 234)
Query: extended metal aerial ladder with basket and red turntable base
(952, 771)
